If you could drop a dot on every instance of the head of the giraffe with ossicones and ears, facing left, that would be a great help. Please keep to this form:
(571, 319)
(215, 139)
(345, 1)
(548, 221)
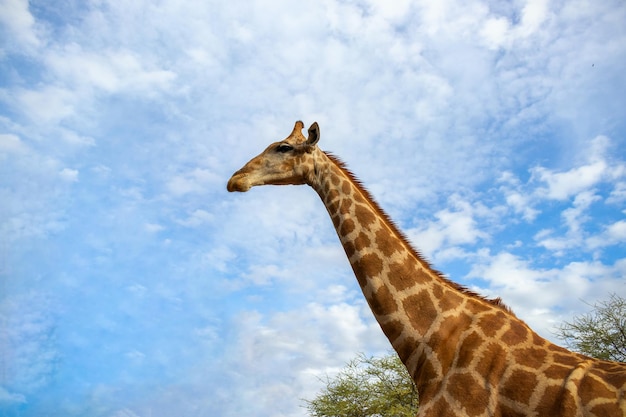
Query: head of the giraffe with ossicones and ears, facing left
(286, 162)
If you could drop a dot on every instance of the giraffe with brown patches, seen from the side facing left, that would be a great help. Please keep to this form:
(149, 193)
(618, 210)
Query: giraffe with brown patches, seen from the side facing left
(468, 355)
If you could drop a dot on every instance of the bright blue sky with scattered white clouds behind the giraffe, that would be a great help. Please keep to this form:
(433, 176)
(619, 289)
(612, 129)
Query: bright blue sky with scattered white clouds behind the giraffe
(132, 284)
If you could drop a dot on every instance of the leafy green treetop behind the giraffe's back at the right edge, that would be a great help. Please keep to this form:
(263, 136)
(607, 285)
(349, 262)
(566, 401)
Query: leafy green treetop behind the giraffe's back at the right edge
(600, 333)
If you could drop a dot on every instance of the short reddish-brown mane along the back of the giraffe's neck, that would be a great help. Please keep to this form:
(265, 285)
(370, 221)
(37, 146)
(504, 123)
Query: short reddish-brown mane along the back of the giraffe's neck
(497, 302)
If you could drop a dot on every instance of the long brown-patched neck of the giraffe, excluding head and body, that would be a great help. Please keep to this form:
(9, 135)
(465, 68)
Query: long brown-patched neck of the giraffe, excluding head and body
(408, 298)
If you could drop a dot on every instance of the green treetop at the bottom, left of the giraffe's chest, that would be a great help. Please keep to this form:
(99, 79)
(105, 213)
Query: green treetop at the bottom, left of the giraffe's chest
(367, 387)
